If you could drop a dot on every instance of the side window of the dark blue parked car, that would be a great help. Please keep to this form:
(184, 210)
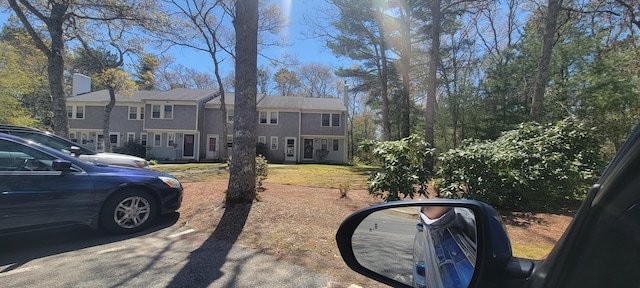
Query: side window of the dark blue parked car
(17, 157)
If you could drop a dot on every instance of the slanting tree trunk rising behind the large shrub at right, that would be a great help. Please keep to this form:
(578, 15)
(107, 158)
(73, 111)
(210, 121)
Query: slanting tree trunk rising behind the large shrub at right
(542, 75)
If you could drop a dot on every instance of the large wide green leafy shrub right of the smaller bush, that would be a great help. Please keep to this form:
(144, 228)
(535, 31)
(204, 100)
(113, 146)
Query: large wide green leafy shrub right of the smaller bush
(534, 166)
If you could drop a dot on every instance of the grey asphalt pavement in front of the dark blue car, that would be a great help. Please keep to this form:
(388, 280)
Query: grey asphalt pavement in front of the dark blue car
(167, 255)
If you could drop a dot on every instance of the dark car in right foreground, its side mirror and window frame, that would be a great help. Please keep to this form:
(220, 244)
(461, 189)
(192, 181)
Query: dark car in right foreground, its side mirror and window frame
(600, 248)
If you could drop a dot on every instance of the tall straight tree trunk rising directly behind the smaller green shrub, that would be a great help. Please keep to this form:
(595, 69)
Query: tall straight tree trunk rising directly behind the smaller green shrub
(430, 111)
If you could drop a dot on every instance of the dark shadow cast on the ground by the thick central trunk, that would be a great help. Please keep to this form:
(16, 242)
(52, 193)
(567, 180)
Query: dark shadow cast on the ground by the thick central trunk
(205, 263)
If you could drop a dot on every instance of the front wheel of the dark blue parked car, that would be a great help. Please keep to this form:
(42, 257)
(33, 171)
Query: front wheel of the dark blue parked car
(128, 211)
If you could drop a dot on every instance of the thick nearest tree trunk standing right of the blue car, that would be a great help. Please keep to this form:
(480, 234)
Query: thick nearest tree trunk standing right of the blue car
(242, 179)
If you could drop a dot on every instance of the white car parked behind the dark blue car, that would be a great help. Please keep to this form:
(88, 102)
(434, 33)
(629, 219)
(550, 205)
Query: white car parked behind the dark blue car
(73, 149)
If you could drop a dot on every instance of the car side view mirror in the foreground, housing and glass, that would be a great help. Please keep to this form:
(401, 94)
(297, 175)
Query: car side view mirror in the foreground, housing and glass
(430, 243)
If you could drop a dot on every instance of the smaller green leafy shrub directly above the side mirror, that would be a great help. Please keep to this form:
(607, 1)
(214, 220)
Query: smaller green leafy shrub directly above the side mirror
(403, 173)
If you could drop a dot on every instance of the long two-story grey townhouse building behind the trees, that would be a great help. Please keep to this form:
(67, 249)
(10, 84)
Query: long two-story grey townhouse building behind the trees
(186, 124)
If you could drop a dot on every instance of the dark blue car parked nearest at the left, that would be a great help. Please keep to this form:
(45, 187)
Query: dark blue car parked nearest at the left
(42, 187)
